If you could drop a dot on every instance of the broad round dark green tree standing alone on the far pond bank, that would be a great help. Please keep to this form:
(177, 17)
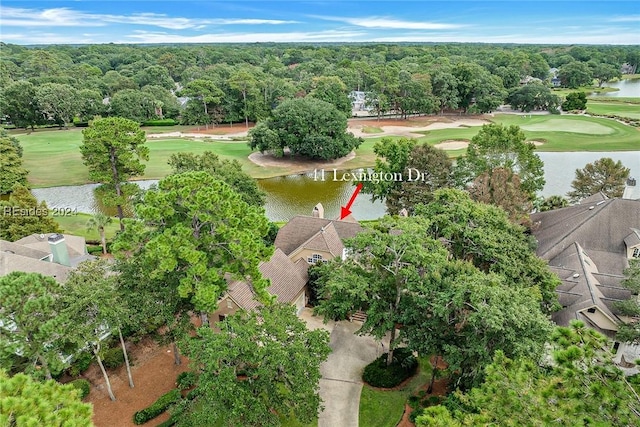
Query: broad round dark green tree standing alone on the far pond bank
(306, 126)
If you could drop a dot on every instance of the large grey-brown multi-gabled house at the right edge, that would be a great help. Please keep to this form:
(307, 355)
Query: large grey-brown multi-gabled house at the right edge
(588, 246)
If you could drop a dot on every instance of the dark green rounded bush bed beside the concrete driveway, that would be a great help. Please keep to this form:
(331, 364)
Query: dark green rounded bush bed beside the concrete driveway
(378, 374)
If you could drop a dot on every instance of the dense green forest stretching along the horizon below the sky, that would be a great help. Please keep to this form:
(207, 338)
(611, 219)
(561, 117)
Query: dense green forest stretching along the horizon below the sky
(213, 84)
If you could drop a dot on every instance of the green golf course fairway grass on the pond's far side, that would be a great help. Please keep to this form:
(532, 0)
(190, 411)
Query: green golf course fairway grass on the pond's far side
(53, 156)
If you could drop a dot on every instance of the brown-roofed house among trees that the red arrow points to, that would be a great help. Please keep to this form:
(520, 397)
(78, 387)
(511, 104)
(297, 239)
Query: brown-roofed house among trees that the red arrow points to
(303, 241)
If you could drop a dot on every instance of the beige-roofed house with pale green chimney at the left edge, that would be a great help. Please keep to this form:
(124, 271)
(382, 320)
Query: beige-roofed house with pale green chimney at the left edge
(53, 255)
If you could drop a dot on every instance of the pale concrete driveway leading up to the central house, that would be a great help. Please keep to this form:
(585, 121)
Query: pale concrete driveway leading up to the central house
(341, 381)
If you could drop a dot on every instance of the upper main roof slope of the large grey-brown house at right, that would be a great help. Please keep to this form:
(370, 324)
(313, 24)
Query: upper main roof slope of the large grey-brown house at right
(600, 227)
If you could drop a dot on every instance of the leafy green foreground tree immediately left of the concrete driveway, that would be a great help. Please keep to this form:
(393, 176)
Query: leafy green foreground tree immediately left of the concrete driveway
(261, 365)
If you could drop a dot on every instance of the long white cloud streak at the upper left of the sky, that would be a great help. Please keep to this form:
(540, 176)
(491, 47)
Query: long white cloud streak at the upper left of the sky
(65, 17)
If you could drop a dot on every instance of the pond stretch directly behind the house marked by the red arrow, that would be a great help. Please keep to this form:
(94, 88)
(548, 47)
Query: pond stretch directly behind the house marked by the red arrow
(292, 195)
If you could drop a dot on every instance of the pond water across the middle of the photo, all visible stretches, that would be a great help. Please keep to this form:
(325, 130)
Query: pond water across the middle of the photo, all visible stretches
(292, 195)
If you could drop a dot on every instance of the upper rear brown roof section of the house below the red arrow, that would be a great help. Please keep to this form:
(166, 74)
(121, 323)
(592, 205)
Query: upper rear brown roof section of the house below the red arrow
(302, 228)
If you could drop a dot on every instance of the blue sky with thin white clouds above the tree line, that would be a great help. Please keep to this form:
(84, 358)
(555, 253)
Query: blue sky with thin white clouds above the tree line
(158, 21)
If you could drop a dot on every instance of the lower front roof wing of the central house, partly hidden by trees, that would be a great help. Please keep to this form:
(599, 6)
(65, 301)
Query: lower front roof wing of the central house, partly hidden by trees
(287, 279)
